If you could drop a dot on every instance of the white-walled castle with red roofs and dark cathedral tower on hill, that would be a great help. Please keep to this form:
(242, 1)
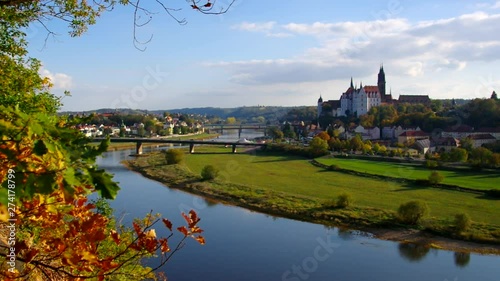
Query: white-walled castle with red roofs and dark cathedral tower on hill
(357, 101)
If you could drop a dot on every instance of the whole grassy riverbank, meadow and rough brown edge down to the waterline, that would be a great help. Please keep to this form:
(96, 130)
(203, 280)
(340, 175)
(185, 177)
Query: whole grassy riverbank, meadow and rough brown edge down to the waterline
(270, 184)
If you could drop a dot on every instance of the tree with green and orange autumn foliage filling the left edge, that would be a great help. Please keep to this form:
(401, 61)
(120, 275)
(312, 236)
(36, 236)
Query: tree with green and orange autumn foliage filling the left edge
(48, 228)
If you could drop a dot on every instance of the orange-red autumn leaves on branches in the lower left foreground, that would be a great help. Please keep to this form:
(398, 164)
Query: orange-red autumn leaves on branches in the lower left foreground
(88, 245)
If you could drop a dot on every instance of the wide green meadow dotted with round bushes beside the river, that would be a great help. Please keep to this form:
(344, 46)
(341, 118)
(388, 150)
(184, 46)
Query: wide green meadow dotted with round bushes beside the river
(292, 187)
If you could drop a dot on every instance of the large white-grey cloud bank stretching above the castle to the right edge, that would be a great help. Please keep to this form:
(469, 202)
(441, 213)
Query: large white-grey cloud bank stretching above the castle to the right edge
(346, 49)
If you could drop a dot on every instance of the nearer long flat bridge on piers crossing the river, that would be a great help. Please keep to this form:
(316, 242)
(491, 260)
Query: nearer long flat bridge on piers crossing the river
(191, 143)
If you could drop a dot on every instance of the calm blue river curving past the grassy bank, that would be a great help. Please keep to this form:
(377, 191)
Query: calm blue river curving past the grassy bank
(244, 245)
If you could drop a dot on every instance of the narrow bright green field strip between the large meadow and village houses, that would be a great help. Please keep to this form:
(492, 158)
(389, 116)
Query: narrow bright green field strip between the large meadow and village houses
(465, 178)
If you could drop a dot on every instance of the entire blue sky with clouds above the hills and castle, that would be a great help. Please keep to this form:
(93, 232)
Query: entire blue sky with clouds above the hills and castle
(275, 52)
